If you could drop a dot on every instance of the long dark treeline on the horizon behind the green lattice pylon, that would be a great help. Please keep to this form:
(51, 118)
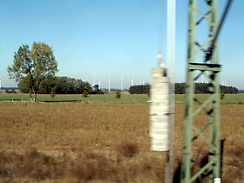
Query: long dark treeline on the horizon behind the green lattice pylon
(200, 88)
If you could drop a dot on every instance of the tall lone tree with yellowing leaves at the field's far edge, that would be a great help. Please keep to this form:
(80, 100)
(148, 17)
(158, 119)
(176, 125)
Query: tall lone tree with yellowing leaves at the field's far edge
(36, 66)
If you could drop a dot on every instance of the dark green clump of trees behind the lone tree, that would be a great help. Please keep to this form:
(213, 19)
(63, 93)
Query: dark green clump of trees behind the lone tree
(60, 85)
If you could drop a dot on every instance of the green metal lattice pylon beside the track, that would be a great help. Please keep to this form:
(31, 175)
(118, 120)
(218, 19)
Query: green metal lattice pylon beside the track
(205, 18)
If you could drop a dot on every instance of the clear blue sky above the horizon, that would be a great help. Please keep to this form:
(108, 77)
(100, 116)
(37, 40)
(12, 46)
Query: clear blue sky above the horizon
(117, 37)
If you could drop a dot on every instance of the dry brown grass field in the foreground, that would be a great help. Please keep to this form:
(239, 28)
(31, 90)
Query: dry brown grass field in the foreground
(99, 142)
